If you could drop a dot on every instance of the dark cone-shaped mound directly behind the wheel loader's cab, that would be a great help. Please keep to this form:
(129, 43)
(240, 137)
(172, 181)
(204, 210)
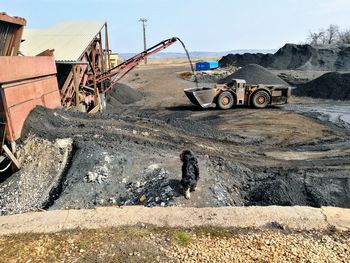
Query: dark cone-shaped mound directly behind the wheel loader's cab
(254, 74)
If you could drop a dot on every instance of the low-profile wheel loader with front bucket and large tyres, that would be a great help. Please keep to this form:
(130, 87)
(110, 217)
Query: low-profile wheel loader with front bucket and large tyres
(237, 92)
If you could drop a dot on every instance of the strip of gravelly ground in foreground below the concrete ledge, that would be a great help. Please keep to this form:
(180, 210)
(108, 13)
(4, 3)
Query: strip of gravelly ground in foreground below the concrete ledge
(143, 244)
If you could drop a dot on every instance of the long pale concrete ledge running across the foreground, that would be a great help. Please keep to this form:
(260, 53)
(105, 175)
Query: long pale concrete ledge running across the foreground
(297, 218)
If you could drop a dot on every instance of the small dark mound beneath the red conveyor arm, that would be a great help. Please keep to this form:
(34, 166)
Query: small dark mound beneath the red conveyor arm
(122, 94)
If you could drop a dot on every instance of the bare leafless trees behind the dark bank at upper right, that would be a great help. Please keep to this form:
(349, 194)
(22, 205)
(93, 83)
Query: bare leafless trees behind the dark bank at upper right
(331, 35)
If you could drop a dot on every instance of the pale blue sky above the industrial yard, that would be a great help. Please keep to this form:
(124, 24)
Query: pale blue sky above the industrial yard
(203, 25)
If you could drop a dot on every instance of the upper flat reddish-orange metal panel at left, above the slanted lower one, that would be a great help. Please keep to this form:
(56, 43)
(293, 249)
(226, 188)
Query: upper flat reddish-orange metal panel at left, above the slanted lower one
(19, 68)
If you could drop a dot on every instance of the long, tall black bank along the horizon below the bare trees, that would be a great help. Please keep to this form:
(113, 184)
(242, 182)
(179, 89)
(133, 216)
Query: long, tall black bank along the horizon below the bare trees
(292, 56)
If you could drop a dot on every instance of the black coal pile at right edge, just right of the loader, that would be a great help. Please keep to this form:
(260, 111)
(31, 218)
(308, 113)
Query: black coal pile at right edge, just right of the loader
(331, 85)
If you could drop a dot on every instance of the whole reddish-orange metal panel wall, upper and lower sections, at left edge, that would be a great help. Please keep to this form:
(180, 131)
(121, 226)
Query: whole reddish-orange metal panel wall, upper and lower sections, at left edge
(26, 82)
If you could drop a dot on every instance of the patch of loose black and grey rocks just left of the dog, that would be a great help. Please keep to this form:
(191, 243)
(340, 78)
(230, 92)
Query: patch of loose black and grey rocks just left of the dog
(155, 189)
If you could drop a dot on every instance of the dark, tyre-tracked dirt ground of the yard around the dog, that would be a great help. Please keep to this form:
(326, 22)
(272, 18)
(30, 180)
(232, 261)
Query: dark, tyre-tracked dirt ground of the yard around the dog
(130, 153)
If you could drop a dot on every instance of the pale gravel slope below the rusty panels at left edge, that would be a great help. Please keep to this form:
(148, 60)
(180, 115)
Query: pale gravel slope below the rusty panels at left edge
(36, 184)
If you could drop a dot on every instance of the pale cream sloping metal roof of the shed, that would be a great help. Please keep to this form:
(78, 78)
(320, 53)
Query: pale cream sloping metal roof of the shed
(69, 39)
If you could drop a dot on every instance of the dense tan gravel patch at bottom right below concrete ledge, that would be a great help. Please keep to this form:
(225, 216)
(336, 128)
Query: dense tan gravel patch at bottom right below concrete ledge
(268, 246)
